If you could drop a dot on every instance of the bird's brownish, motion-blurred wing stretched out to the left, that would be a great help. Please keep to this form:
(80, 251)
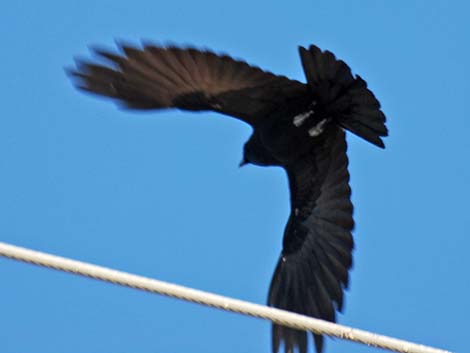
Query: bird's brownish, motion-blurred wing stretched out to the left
(156, 77)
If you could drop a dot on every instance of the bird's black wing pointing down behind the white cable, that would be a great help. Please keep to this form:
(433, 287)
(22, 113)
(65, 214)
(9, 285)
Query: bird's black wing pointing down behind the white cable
(312, 271)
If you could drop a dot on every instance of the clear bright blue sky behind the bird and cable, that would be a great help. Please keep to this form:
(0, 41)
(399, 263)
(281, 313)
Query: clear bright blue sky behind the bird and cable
(161, 194)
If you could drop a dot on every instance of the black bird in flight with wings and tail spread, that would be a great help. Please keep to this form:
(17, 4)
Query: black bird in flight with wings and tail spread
(296, 126)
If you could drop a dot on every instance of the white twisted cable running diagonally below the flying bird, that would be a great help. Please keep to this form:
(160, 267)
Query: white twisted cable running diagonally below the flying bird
(280, 317)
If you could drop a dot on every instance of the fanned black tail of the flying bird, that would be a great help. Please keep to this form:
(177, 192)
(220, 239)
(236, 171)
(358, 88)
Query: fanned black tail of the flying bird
(345, 98)
